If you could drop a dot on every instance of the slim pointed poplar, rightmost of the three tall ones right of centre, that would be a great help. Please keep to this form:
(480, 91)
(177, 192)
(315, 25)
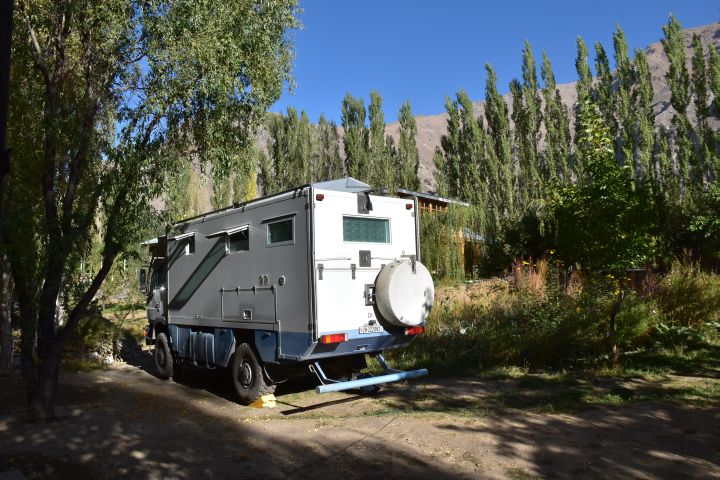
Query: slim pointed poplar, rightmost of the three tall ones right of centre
(557, 127)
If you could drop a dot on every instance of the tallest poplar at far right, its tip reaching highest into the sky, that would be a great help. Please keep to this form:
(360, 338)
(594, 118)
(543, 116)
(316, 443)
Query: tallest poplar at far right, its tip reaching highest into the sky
(678, 79)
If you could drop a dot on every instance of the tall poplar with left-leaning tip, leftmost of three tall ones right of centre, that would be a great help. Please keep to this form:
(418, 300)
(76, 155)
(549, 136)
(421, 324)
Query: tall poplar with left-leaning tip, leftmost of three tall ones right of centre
(496, 113)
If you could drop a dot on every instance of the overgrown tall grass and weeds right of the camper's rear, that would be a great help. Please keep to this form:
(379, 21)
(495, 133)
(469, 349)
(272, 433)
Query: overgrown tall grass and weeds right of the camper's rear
(544, 319)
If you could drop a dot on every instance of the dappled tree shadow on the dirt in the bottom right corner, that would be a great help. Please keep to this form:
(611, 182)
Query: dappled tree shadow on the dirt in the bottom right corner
(655, 441)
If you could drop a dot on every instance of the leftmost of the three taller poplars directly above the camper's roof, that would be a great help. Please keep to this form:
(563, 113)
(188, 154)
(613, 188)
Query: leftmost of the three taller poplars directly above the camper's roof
(356, 138)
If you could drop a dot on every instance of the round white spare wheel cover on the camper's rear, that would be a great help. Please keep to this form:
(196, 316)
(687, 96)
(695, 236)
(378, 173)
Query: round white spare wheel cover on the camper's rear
(403, 297)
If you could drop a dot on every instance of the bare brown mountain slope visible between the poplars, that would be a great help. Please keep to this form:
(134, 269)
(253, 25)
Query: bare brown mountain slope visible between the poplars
(432, 127)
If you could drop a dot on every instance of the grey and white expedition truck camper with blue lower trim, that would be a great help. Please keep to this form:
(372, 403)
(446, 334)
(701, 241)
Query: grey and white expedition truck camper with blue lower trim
(315, 277)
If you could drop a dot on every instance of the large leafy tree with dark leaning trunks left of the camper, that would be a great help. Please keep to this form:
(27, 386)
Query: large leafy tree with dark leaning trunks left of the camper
(106, 97)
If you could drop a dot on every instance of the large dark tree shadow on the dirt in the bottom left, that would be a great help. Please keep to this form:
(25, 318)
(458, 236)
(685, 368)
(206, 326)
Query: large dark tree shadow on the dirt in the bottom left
(139, 427)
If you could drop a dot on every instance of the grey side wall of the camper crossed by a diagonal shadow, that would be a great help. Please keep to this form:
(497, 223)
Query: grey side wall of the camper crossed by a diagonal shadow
(213, 288)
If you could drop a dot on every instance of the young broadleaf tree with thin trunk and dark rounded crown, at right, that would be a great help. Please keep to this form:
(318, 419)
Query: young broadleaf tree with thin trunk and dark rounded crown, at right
(604, 224)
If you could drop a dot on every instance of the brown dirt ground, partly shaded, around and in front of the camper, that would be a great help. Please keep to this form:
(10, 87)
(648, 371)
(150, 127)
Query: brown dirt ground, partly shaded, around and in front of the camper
(125, 422)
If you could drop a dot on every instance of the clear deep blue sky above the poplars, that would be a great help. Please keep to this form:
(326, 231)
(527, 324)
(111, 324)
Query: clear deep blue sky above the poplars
(422, 51)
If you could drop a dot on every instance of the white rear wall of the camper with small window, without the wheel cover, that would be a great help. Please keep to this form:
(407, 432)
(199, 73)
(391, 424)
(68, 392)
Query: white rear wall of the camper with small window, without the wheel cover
(351, 247)
